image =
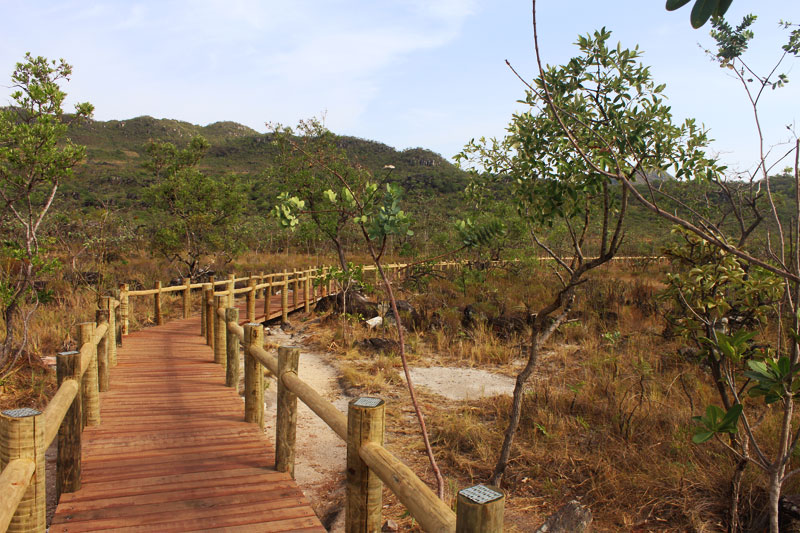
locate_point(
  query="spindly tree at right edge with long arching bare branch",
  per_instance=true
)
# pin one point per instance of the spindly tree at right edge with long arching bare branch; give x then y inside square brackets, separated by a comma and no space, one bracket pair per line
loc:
[772,375]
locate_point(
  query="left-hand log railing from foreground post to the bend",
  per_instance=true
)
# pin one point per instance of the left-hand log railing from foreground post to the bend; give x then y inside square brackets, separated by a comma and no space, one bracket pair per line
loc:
[25,434]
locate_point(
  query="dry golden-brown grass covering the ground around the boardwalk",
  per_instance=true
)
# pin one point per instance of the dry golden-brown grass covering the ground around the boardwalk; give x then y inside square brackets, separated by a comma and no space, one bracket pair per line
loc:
[606,419]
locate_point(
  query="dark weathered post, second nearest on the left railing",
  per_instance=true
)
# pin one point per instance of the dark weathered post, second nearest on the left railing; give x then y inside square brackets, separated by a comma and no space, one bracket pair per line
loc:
[68,469]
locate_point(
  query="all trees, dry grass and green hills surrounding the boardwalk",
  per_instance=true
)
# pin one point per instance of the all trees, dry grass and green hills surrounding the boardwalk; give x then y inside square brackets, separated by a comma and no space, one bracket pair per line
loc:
[688,370]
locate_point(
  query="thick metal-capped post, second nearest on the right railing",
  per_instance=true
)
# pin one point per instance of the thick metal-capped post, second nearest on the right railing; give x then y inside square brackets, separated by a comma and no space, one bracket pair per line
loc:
[365,423]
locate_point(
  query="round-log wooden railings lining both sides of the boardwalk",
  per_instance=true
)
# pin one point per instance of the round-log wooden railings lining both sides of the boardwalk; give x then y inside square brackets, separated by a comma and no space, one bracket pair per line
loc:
[25,434]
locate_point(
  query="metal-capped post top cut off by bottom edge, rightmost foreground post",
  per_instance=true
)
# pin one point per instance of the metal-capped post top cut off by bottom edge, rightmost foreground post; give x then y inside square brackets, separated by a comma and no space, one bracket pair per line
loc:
[480,509]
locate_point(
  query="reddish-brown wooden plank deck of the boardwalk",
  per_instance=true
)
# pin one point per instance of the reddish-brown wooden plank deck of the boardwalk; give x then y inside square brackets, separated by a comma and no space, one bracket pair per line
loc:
[172,452]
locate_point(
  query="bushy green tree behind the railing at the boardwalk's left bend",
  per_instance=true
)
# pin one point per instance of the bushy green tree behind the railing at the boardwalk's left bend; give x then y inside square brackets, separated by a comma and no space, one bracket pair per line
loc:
[197,215]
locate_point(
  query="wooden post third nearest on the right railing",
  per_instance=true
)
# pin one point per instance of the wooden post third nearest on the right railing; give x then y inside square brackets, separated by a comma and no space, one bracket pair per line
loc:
[286,423]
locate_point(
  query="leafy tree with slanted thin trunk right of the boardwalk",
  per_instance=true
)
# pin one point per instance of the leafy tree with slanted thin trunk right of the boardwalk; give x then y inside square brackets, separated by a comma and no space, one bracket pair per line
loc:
[620,128]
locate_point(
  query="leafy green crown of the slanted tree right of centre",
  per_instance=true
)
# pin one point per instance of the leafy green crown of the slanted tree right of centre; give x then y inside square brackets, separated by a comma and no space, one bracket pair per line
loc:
[614,111]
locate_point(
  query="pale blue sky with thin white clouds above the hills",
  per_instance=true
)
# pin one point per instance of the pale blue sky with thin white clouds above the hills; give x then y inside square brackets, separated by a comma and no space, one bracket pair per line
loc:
[407,73]
